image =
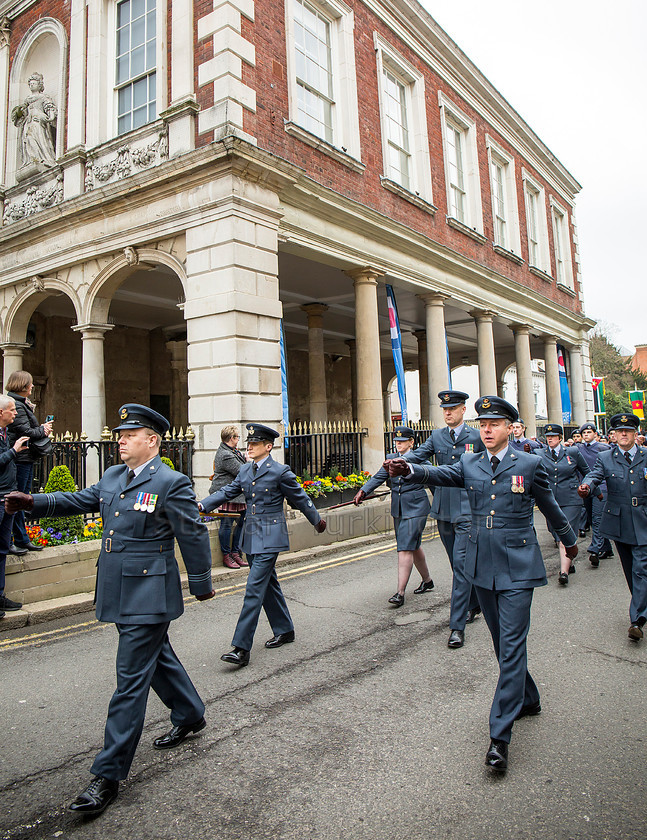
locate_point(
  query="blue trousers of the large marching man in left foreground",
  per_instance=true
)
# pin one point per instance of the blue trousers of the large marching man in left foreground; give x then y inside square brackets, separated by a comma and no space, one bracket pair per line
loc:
[145,659]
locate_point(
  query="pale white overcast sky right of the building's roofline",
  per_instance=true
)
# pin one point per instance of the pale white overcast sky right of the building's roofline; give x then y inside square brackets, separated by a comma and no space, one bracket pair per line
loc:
[576,71]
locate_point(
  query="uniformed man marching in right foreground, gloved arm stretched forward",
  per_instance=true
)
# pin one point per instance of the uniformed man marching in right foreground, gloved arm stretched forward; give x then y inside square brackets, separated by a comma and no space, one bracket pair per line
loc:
[503,559]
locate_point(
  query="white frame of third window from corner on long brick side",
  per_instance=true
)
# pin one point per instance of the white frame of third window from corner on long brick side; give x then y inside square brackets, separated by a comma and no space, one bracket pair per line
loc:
[452,114]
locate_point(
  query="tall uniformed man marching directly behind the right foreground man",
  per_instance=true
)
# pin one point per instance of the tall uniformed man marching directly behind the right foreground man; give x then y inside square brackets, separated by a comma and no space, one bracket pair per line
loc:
[450,507]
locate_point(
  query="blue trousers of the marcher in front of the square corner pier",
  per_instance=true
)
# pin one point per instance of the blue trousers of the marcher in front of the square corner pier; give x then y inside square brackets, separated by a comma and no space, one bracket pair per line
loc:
[263,591]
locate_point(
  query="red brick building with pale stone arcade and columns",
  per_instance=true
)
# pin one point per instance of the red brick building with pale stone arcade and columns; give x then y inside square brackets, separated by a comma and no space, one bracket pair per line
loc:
[181,177]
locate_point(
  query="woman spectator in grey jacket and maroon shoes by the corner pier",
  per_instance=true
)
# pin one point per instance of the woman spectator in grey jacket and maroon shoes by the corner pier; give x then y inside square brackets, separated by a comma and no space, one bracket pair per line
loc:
[226,465]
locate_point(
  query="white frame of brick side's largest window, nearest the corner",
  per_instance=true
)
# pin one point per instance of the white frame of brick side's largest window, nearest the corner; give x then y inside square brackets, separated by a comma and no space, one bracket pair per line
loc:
[345,113]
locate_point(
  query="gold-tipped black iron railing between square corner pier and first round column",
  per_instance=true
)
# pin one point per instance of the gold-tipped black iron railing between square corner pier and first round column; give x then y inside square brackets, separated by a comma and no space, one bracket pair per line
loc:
[323,448]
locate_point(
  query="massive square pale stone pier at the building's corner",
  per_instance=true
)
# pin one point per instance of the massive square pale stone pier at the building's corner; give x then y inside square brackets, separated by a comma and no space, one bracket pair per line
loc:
[233,316]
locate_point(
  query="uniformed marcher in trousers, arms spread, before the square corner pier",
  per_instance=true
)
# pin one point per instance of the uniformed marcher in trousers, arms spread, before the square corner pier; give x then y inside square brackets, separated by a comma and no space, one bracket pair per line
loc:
[266,484]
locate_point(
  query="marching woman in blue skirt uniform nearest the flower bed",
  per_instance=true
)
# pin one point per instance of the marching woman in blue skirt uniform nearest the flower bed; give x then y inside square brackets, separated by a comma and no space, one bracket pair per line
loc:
[409,509]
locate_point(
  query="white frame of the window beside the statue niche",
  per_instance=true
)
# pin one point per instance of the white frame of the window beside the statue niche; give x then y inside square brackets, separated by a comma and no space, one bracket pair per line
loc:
[160,68]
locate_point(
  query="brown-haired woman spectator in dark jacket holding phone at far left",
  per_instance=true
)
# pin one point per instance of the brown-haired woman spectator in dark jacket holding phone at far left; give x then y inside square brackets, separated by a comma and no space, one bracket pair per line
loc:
[19,387]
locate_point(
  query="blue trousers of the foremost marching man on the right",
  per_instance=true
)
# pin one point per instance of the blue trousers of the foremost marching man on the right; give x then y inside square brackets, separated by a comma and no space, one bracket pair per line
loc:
[507,614]
